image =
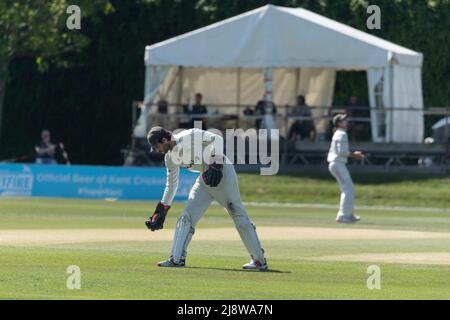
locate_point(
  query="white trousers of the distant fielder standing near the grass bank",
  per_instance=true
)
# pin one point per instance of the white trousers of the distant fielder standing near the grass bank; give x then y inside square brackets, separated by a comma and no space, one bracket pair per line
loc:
[340,173]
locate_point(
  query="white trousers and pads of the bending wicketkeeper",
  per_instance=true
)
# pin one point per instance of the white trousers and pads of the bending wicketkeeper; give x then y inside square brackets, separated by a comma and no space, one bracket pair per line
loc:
[226,194]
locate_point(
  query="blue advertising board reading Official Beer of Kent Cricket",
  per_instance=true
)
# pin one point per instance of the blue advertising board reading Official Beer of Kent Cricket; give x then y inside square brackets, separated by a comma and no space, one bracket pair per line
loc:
[90,182]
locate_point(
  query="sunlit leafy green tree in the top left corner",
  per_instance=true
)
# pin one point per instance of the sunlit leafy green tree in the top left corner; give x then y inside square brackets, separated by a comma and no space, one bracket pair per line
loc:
[38,28]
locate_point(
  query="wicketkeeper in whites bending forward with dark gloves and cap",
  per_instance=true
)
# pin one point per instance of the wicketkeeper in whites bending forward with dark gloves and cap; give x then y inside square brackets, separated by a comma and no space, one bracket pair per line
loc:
[217,181]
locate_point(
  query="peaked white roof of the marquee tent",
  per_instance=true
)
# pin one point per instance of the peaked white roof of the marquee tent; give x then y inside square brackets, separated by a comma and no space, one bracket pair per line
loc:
[279,36]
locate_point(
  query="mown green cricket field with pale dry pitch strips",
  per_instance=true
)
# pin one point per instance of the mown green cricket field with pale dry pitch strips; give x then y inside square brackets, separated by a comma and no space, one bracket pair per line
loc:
[310,256]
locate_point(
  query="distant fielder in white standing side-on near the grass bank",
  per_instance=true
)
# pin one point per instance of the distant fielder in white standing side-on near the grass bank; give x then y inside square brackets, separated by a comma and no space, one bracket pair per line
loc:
[337,159]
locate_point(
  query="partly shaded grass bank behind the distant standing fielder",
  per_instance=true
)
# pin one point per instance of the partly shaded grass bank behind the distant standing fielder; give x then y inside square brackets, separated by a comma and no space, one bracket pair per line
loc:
[395,189]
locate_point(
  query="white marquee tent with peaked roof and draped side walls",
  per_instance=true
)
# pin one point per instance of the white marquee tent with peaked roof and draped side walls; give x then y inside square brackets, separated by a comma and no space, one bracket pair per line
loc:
[226,62]
